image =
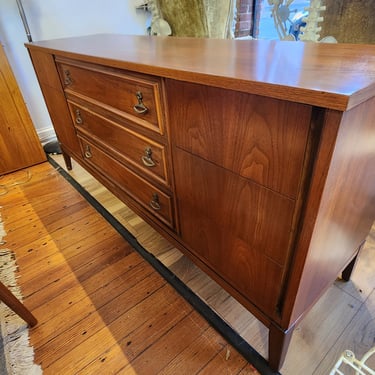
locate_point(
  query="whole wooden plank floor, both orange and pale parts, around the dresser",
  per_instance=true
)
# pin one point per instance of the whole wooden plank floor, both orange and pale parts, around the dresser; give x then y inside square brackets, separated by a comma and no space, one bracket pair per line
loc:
[74,268]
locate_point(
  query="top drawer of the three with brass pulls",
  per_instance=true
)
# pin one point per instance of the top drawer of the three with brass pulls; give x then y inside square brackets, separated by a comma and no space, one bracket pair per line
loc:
[136,97]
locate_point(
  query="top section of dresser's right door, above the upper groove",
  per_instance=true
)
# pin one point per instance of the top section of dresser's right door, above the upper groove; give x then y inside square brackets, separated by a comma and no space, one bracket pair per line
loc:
[260,138]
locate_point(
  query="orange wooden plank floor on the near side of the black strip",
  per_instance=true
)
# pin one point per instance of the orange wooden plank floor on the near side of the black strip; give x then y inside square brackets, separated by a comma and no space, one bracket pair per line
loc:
[101,307]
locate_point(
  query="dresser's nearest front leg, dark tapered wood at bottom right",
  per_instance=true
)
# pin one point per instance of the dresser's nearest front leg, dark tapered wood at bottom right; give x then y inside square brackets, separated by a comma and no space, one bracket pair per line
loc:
[278,343]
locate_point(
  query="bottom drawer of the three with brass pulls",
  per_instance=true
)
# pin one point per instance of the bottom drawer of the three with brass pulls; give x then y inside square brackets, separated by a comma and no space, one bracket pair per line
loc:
[147,195]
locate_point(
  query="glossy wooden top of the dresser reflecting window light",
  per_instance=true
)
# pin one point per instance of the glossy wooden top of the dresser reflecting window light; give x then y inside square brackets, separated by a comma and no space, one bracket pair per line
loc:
[336,76]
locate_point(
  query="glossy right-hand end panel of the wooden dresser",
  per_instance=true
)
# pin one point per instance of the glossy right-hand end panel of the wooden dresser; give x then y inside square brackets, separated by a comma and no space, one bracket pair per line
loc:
[346,204]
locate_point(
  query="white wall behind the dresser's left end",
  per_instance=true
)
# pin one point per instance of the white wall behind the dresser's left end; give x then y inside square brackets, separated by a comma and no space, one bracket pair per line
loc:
[49,19]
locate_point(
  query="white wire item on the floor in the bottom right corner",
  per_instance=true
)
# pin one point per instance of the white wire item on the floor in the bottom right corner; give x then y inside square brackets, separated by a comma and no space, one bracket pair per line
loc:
[350,362]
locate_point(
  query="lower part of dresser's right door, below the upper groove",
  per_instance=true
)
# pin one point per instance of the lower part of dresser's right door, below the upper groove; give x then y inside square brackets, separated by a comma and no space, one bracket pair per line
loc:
[238,228]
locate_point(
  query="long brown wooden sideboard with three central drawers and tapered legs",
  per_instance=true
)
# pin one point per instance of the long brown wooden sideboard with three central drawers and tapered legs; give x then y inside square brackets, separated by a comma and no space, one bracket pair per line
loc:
[255,158]
